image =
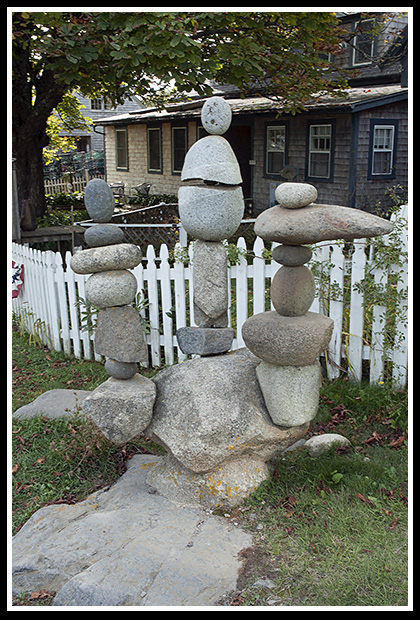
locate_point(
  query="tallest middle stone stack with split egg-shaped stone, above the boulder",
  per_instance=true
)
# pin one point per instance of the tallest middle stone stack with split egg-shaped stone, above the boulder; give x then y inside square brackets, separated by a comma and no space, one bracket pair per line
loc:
[211,208]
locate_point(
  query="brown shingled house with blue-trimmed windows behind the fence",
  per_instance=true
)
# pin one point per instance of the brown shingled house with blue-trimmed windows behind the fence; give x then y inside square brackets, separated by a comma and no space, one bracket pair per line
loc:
[351,149]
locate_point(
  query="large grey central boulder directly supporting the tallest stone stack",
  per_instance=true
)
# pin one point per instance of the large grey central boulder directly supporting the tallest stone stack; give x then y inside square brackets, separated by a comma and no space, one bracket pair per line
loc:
[210,410]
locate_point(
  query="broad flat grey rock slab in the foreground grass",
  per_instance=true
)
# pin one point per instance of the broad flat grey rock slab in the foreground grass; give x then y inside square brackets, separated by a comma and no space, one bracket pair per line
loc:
[124,546]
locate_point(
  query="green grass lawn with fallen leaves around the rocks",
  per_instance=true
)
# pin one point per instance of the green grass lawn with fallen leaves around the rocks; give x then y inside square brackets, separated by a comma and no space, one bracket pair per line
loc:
[328,531]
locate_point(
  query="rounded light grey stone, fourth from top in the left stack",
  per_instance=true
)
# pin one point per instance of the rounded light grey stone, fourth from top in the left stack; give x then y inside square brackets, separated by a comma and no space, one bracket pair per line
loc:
[111,288]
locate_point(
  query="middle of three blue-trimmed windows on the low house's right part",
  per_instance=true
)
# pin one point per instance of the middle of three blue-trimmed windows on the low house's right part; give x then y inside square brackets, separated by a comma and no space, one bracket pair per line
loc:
[319,151]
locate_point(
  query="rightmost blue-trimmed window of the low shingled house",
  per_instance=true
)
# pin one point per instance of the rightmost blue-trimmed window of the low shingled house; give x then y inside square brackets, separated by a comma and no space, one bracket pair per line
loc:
[382,148]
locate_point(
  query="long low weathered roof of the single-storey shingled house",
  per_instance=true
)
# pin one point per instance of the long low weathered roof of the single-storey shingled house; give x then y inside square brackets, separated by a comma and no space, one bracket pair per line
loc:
[355,100]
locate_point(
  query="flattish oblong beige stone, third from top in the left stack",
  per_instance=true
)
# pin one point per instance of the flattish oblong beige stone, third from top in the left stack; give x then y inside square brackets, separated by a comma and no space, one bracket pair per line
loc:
[118,256]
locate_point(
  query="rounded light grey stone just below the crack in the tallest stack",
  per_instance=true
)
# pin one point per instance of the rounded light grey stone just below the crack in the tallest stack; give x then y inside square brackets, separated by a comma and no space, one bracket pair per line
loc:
[211,213]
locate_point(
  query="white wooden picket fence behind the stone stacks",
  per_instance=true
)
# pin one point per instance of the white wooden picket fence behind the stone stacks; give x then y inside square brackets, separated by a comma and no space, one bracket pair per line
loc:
[48,303]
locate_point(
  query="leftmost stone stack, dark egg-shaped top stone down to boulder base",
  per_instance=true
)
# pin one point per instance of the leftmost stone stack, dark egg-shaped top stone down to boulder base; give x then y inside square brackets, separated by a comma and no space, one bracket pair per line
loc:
[122,406]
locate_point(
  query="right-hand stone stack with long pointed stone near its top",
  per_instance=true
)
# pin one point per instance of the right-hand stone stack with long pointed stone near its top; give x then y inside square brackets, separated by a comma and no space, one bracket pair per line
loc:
[290,339]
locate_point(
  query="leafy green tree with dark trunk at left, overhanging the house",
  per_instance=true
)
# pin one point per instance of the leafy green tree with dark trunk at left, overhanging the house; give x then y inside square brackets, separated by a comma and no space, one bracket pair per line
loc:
[115,55]
